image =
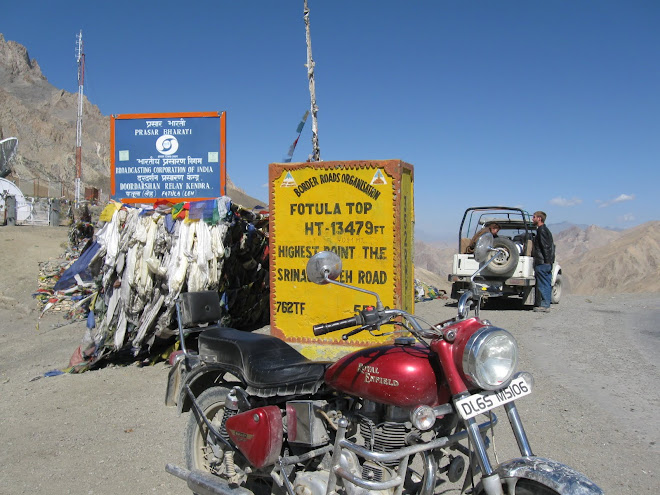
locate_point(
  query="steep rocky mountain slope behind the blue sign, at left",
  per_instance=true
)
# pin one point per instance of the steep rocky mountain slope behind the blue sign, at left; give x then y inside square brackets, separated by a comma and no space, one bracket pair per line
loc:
[43,118]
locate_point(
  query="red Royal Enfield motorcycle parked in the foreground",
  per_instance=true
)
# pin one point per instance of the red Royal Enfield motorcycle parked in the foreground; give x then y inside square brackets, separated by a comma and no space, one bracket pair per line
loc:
[406,417]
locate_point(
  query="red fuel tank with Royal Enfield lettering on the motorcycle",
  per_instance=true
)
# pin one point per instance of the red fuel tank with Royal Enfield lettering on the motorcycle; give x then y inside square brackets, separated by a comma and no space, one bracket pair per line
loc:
[398,375]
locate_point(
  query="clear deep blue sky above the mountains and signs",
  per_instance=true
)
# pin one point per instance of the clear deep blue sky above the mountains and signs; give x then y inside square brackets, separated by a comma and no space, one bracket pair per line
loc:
[551,105]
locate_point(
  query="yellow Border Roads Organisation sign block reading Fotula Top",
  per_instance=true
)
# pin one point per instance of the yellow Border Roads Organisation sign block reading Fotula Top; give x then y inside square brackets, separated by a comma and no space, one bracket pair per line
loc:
[361,210]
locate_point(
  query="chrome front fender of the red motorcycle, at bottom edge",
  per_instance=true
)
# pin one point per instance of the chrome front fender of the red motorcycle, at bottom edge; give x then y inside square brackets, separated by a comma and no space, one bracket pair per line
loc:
[559,477]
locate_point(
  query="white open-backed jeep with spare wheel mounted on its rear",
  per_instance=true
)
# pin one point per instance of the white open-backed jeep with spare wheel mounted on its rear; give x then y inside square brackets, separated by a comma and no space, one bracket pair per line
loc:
[512,272]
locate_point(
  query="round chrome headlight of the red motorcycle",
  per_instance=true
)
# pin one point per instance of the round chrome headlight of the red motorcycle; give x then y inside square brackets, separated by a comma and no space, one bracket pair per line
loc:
[490,358]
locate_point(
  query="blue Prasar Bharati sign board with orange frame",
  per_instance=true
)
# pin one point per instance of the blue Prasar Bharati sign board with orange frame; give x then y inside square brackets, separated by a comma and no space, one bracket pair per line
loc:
[167,156]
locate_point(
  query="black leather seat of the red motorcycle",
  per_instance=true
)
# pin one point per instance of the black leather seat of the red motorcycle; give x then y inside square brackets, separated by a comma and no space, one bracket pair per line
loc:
[263,361]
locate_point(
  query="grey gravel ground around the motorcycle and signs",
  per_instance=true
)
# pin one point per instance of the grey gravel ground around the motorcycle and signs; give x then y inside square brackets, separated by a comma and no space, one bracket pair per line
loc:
[595,361]
